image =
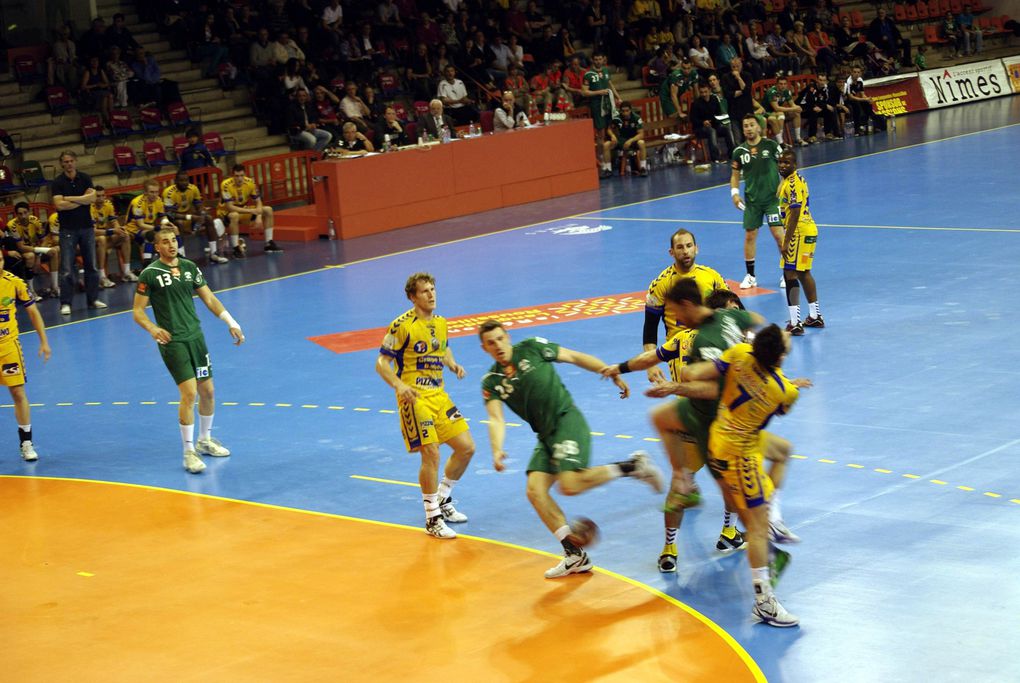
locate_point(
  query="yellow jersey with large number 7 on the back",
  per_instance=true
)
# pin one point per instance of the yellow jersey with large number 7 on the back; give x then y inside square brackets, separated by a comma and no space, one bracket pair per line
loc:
[751,396]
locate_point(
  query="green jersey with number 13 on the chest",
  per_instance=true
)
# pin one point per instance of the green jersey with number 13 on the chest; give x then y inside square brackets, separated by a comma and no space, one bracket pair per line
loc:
[171,291]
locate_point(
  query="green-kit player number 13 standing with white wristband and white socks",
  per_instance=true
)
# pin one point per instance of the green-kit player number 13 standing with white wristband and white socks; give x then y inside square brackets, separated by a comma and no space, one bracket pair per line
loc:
[171,283]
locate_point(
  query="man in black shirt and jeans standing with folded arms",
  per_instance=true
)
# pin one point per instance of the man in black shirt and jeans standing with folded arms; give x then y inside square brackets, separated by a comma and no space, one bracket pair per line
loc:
[73,197]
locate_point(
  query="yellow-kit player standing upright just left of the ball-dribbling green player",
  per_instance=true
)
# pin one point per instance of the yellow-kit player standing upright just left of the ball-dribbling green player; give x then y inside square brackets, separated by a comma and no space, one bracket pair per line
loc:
[412,359]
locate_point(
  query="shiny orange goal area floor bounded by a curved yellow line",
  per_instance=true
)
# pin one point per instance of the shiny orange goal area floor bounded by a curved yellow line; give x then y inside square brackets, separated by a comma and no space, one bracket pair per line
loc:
[119,583]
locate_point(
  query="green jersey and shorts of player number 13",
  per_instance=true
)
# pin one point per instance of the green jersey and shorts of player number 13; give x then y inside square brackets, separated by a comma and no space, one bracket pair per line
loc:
[171,291]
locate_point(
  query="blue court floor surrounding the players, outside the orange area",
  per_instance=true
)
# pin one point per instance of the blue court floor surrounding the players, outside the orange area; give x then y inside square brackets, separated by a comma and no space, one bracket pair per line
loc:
[905,488]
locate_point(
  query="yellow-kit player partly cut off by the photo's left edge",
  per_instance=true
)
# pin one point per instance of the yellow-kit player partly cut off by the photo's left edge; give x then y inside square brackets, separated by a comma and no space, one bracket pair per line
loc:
[15,294]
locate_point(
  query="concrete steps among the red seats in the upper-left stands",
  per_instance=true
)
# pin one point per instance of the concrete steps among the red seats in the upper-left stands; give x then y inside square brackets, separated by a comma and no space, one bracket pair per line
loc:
[43,137]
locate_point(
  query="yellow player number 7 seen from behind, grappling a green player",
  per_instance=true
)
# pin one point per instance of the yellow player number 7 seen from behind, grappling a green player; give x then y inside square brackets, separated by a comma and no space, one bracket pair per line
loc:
[754,390]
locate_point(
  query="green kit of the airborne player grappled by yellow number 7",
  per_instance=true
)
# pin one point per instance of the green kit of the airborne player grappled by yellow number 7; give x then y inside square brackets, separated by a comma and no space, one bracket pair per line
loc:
[718,333]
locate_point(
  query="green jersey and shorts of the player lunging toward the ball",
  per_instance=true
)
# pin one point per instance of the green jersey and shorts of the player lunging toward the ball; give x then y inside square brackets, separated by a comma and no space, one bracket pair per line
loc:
[533,390]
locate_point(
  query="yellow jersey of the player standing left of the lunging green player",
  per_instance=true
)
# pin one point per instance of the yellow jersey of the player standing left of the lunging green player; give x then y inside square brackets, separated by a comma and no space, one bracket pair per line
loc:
[418,348]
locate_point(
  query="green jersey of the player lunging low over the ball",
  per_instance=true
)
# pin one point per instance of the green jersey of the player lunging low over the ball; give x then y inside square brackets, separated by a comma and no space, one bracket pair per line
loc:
[530,386]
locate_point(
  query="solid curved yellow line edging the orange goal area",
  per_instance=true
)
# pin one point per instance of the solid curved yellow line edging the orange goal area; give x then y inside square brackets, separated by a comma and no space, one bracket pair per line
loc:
[719,631]
